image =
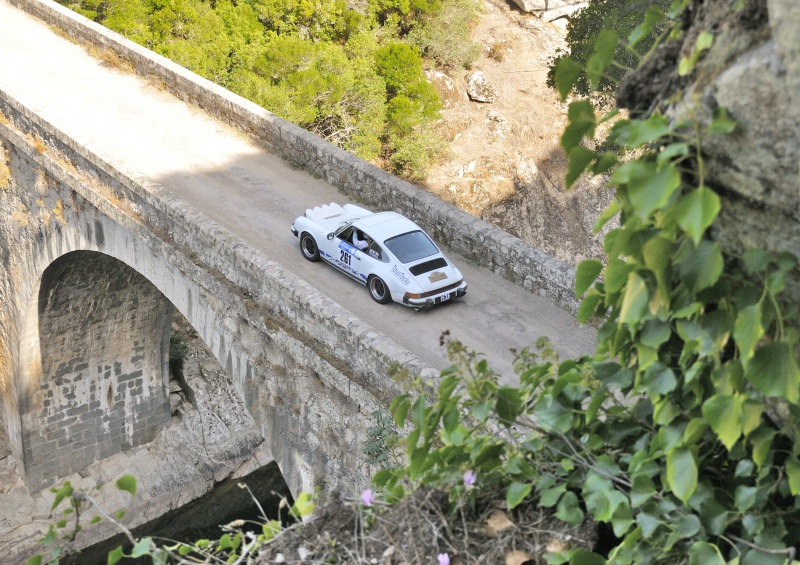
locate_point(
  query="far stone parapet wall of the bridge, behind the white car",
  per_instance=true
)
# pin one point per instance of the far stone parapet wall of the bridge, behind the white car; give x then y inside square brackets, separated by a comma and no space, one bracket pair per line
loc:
[476,239]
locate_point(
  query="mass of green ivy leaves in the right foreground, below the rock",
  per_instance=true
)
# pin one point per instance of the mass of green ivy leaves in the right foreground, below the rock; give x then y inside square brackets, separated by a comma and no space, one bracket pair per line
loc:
[681,432]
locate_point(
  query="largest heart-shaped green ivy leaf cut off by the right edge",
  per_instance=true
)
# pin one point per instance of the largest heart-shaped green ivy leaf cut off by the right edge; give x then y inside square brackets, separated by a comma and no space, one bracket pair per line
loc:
[773,370]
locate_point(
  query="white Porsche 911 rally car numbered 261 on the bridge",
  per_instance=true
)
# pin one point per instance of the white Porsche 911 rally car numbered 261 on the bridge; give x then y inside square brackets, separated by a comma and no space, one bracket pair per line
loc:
[385,251]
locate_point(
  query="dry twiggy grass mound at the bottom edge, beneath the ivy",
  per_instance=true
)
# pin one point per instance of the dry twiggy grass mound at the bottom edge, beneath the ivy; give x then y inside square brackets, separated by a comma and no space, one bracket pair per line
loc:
[418,529]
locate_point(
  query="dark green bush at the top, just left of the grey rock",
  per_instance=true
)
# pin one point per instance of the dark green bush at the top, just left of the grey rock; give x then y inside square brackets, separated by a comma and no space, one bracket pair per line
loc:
[598,25]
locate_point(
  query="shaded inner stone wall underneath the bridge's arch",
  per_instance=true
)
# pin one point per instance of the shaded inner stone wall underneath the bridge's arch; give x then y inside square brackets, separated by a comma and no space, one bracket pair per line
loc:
[94,364]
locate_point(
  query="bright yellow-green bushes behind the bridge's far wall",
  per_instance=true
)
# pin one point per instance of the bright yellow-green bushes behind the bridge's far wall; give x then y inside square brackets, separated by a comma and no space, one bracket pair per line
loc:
[318,65]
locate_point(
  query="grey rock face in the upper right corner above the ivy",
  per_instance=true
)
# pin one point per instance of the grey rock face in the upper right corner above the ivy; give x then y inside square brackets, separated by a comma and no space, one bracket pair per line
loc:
[752,70]
